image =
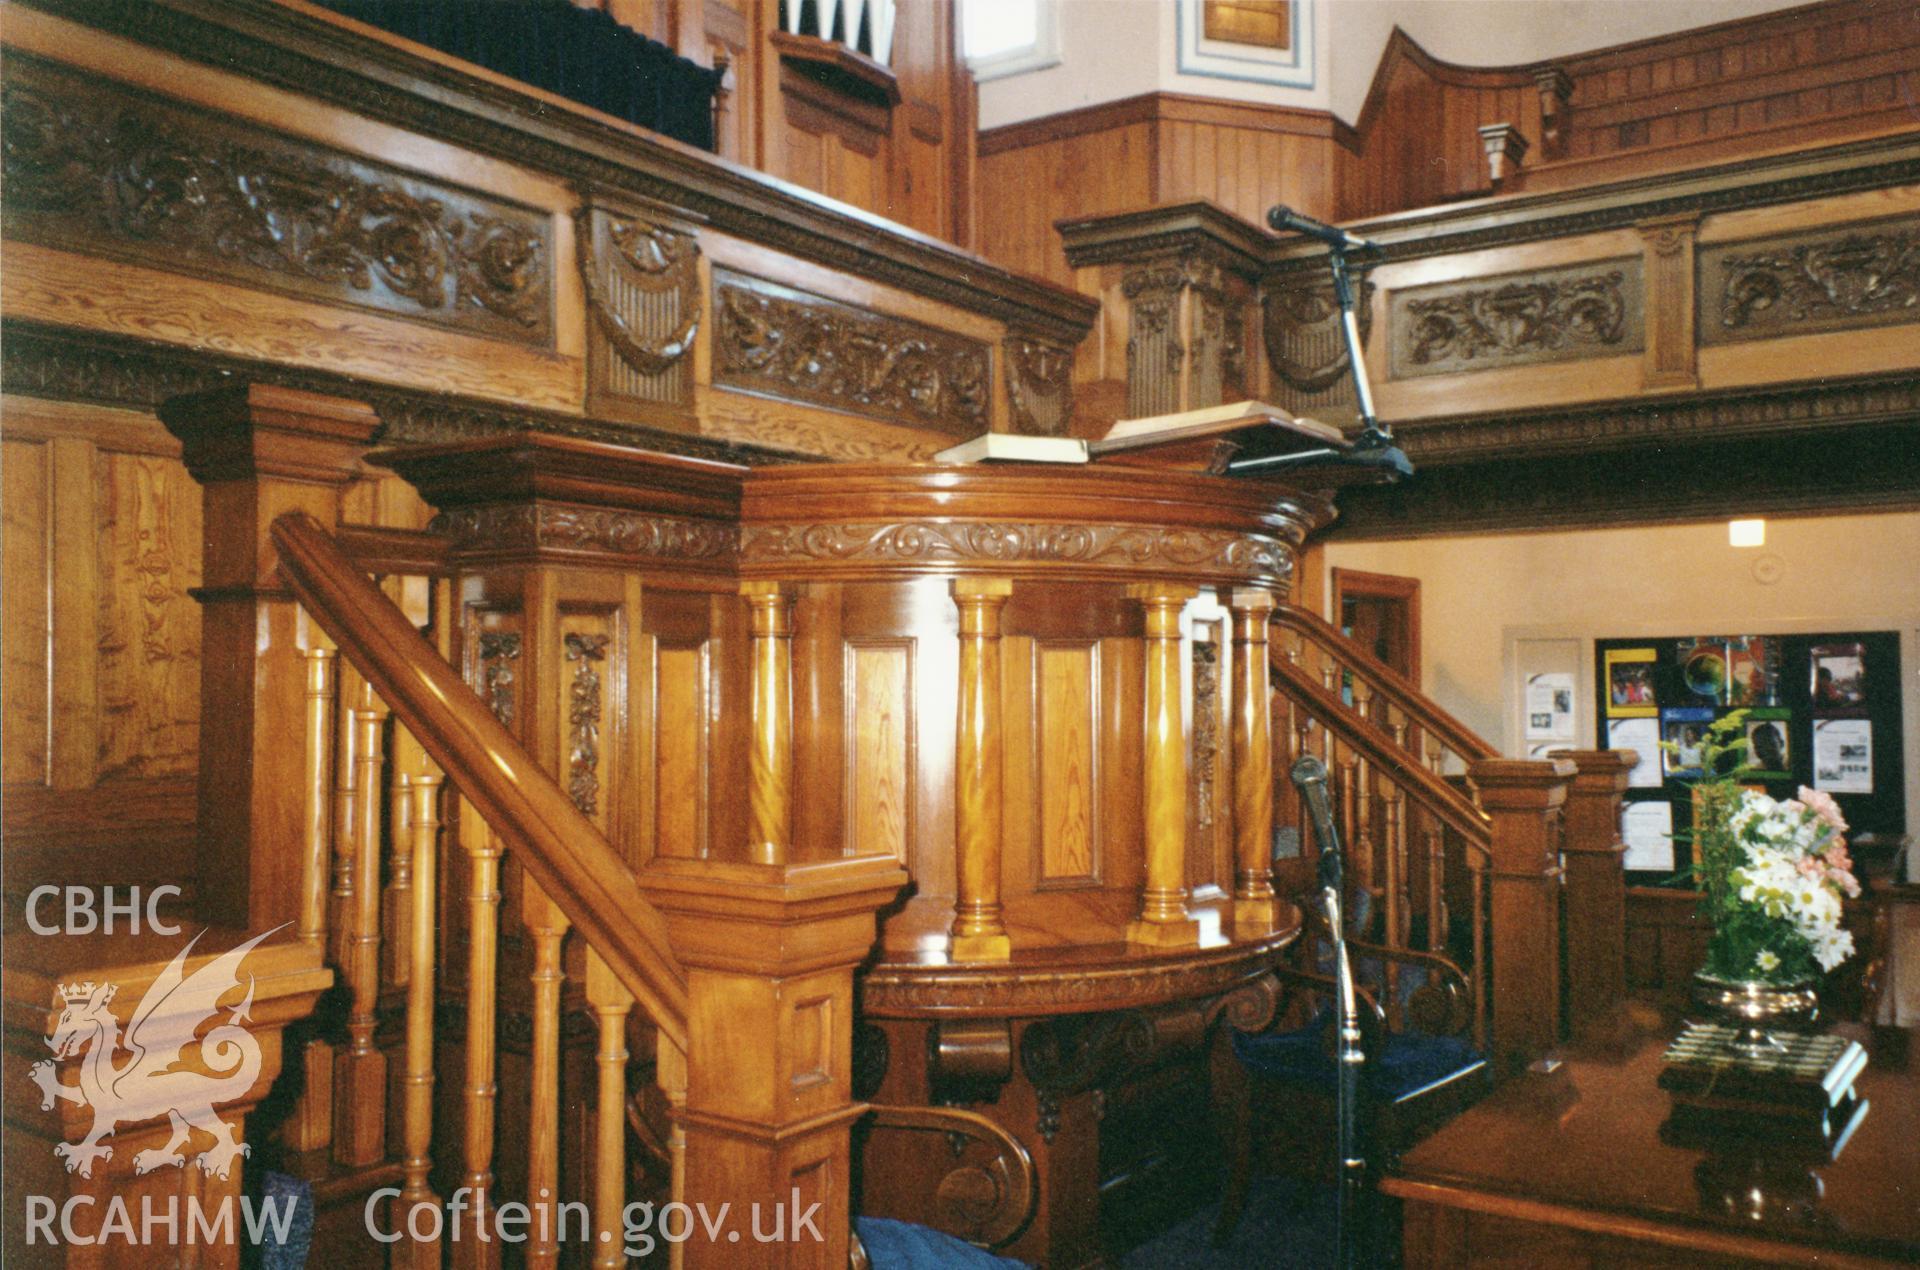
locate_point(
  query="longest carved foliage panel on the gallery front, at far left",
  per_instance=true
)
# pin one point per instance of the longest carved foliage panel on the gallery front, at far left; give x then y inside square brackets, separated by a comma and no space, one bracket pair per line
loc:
[103,168]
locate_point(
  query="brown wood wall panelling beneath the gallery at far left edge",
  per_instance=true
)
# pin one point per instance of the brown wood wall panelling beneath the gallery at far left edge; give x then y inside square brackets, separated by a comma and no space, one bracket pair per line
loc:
[103,645]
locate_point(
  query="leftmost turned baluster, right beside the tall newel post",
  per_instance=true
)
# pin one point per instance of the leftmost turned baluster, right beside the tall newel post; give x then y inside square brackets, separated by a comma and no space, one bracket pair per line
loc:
[310,1125]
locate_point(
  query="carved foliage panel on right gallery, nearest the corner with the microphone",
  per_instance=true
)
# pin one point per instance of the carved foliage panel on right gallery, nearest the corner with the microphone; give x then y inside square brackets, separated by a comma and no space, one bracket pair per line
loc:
[1591,310]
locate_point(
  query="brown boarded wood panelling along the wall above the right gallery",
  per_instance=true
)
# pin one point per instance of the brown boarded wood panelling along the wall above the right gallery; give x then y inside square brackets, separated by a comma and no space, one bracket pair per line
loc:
[1819,74]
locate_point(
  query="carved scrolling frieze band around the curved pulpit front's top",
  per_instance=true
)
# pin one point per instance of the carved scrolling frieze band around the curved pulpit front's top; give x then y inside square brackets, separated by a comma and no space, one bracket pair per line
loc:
[936,543]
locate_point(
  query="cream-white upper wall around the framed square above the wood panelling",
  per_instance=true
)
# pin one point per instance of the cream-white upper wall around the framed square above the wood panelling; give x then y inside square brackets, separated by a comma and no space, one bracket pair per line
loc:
[1118,49]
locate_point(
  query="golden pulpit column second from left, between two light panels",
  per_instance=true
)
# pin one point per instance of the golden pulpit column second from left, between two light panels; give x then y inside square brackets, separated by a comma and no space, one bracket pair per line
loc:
[978,933]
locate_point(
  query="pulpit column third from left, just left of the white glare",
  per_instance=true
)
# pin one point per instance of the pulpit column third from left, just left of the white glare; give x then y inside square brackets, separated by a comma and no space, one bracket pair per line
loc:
[1164,919]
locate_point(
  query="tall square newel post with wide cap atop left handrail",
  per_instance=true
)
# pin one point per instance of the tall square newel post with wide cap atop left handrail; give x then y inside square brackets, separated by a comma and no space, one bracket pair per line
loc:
[256,452]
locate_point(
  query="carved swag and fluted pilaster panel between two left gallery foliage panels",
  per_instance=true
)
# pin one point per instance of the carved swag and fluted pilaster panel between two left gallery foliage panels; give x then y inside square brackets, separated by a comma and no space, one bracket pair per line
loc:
[644,297]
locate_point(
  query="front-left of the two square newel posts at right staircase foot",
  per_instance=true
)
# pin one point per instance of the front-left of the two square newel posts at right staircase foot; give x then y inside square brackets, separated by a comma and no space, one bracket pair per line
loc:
[1524,798]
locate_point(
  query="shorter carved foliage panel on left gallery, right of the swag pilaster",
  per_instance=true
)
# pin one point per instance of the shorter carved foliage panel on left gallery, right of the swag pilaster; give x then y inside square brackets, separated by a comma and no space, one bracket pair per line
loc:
[798,347]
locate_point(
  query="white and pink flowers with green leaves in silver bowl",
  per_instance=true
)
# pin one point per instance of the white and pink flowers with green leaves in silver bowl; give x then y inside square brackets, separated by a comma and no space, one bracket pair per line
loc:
[1773,873]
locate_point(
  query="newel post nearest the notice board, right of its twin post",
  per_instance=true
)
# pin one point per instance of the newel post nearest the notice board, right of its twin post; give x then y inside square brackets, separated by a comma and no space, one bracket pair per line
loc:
[1596,883]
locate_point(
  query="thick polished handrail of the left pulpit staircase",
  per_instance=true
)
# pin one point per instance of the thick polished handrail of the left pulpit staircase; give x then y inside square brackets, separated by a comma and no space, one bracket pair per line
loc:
[562,848]
